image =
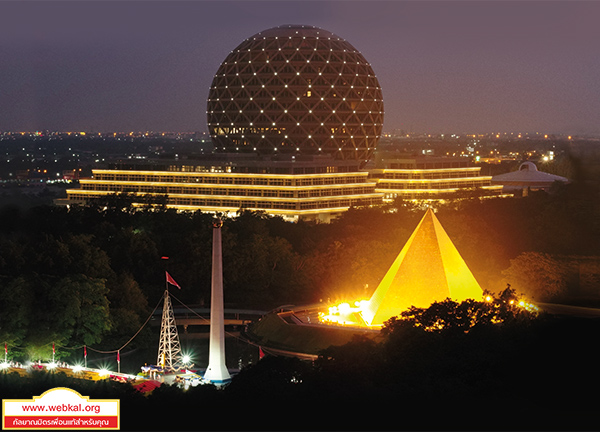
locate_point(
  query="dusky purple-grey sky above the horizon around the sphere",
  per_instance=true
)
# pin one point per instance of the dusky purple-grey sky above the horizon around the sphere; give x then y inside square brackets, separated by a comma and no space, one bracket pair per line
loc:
[459,67]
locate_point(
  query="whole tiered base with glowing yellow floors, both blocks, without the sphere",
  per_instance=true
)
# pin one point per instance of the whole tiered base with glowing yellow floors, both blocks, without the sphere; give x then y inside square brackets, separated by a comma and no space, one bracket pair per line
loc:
[303,187]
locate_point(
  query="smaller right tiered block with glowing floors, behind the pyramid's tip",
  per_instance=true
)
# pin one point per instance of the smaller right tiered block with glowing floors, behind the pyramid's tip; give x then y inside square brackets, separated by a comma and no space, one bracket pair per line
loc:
[430,178]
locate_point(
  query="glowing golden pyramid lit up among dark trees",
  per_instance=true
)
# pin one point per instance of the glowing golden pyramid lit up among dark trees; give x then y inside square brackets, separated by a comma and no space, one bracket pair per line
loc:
[428,269]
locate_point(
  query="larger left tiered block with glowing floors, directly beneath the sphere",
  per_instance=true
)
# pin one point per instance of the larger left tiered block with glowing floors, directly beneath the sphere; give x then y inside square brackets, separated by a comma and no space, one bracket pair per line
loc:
[293,189]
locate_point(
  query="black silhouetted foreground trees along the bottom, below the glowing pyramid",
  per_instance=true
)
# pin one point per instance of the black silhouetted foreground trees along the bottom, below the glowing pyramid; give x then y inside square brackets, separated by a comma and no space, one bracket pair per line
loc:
[523,373]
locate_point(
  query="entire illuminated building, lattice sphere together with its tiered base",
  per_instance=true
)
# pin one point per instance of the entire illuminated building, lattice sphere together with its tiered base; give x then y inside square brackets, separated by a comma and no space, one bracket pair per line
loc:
[295,114]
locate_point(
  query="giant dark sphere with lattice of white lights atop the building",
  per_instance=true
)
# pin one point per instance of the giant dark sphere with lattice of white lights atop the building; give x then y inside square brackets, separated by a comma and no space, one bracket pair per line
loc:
[299,90]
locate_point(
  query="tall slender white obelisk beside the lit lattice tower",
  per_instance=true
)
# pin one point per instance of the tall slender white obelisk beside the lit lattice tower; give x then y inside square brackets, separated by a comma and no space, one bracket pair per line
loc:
[217,372]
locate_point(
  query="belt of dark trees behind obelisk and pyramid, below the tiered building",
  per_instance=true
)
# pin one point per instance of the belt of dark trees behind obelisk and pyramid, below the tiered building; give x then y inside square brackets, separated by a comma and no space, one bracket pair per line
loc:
[91,275]
